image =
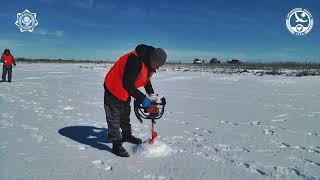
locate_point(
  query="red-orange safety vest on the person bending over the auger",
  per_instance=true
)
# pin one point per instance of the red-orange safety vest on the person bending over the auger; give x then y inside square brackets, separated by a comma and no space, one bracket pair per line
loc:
[114,78]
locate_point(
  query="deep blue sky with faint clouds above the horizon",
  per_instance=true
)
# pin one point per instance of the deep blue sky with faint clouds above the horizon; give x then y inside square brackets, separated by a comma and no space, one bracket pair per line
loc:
[102,29]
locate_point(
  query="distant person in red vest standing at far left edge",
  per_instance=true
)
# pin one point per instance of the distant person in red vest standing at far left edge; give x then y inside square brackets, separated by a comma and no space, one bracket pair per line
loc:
[7,60]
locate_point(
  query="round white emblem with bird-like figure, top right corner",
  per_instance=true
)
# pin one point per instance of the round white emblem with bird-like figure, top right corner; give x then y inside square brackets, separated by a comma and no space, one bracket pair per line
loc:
[299,21]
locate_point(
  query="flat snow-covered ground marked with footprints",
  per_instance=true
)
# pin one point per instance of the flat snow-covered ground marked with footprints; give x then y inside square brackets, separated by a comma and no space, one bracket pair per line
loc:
[216,126]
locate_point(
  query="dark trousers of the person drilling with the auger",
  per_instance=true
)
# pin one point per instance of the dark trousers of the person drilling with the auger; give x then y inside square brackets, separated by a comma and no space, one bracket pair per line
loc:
[117,115]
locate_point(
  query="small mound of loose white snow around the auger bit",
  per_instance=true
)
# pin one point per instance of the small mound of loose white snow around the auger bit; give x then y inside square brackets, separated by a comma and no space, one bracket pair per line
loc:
[156,150]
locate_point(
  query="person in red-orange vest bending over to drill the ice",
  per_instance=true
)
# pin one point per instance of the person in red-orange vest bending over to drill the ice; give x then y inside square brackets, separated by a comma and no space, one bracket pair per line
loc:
[132,71]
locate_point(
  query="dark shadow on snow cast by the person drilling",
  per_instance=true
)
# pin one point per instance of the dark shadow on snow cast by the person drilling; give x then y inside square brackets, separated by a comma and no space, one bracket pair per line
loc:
[92,136]
